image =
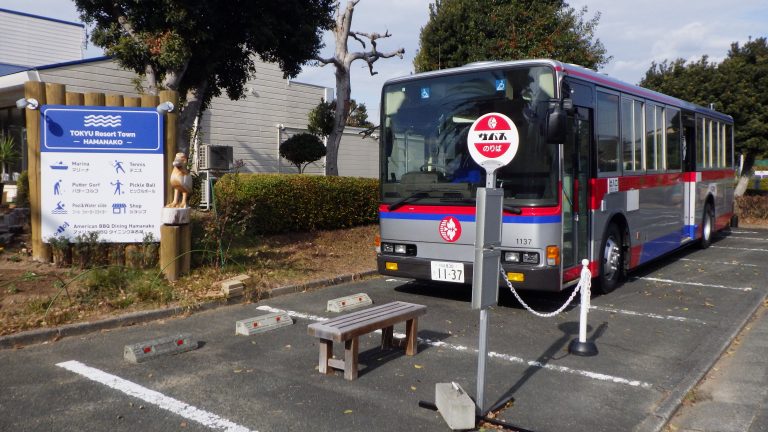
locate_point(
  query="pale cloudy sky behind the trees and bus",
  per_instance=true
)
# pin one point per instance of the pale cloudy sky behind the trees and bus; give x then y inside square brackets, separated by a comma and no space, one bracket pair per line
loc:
[635,33]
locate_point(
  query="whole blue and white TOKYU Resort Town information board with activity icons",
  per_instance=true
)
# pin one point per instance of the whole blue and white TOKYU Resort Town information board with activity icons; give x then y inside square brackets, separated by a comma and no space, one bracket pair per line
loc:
[101,171]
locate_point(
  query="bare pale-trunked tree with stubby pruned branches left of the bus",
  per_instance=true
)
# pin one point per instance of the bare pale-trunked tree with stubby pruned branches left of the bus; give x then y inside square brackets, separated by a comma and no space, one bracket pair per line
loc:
[342,61]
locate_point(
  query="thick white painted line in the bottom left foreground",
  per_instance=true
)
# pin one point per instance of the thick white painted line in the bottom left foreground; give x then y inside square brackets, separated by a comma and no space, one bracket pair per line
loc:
[160,400]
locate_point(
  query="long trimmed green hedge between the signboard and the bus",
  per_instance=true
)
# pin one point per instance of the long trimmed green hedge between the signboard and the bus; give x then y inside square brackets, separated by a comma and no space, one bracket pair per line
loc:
[275,203]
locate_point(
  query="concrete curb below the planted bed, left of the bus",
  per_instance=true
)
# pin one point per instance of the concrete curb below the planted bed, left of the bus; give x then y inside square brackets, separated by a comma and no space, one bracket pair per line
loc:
[31,337]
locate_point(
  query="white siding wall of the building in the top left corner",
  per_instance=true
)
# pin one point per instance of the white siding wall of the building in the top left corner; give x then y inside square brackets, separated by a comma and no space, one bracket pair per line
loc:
[32,41]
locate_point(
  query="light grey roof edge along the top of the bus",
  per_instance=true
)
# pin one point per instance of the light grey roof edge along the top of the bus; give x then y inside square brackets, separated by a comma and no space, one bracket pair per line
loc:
[575,71]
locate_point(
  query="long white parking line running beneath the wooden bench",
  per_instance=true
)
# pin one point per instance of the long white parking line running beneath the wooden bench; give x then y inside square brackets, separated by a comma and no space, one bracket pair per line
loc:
[506,357]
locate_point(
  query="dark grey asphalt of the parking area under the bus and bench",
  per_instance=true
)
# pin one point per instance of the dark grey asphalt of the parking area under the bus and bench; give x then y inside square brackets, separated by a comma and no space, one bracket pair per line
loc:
[657,336]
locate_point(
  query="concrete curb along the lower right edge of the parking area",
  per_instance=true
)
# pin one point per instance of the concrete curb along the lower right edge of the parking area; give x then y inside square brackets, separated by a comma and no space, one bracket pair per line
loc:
[667,407]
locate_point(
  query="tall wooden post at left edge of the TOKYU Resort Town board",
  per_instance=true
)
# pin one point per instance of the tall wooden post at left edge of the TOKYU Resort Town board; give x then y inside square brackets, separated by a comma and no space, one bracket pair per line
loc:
[35,90]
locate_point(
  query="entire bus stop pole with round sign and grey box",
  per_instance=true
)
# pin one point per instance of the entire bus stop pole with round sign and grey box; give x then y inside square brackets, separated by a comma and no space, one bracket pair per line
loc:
[492,143]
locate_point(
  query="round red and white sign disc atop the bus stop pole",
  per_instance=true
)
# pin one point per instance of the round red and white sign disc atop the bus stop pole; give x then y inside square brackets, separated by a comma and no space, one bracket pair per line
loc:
[493,141]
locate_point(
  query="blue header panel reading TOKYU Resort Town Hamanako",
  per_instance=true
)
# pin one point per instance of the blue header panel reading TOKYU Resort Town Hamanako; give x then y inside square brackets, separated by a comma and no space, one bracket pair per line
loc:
[101,129]
